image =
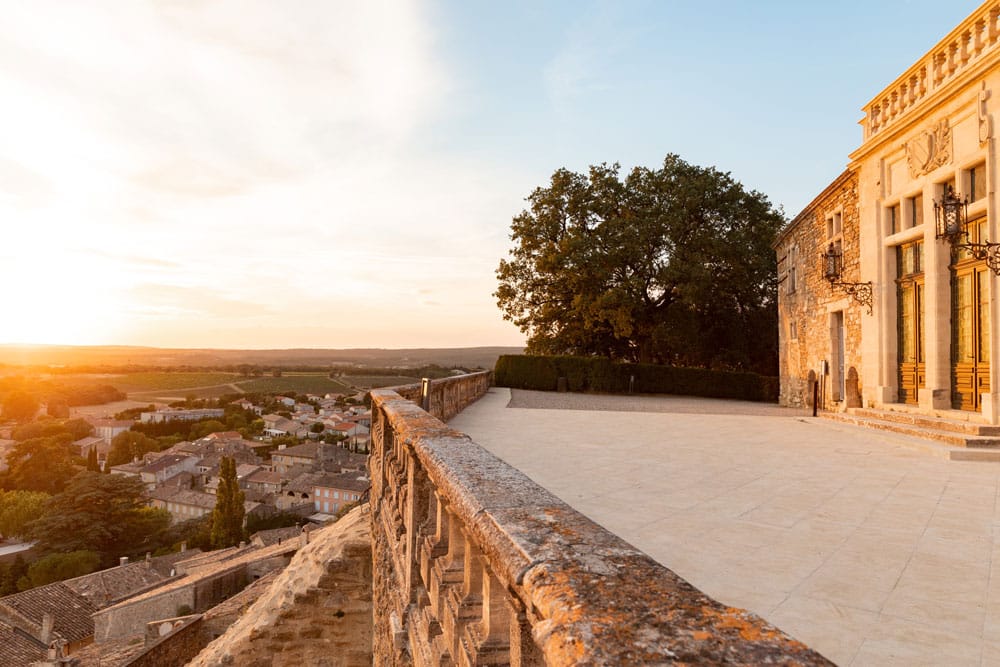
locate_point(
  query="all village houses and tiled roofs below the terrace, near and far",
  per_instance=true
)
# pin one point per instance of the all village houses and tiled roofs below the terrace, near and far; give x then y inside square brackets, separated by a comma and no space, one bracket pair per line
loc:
[309,461]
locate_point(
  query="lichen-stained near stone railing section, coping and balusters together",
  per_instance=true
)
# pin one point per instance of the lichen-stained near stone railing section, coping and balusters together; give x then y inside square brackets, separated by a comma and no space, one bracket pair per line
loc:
[476,564]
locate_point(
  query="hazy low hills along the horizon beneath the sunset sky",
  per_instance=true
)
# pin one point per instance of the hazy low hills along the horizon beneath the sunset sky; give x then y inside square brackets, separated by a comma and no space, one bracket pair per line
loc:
[119,356]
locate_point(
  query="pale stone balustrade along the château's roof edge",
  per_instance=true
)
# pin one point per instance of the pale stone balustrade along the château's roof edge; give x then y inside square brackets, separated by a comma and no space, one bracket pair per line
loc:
[962,49]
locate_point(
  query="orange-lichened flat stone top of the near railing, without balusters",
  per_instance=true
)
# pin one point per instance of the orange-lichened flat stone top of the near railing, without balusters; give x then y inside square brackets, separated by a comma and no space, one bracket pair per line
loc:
[591,597]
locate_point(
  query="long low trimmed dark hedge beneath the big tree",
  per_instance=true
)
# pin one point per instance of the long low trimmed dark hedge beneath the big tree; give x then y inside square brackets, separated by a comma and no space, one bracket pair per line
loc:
[603,375]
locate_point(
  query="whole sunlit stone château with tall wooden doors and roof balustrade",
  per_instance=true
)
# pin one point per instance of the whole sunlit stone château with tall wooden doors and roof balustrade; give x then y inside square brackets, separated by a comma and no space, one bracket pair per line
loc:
[887,298]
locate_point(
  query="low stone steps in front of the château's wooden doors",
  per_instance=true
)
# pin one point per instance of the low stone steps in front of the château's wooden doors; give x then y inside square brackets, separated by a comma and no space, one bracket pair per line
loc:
[951,434]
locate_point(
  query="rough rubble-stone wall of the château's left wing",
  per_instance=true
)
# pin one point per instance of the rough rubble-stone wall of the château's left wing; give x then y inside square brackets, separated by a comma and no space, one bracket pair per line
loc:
[805,336]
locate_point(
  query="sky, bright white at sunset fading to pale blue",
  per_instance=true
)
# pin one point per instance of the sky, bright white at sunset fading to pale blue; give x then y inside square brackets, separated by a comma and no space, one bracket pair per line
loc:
[331,174]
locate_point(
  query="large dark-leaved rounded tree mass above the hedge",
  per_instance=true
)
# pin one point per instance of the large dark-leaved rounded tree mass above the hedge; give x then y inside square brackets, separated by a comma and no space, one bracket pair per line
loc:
[669,265]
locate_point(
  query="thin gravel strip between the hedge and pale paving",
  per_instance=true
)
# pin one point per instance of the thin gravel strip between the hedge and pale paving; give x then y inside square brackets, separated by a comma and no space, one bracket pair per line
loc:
[549,400]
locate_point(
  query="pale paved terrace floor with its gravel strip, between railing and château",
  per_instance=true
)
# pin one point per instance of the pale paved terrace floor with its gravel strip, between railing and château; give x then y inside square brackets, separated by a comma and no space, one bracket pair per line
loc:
[850,540]
